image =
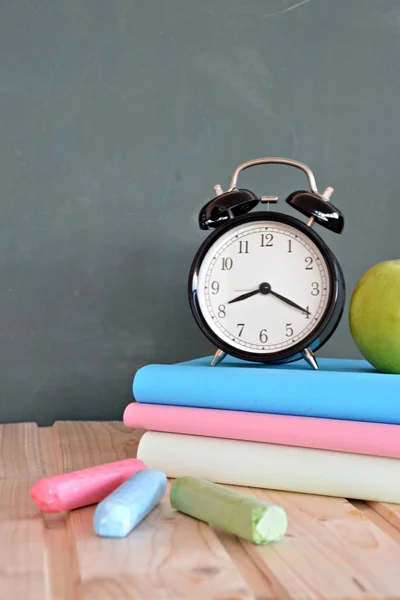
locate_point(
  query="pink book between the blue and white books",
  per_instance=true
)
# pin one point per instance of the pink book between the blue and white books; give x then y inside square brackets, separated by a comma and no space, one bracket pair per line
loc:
[357,437]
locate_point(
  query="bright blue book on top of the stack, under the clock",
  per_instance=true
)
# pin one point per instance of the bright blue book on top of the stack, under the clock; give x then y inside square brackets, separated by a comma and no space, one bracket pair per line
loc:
[341,388]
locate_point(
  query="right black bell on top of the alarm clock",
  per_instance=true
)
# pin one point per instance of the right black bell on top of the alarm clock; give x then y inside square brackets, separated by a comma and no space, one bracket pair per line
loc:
[318,208]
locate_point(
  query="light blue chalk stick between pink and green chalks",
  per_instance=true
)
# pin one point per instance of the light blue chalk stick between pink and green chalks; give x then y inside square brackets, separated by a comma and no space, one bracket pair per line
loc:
[119,513]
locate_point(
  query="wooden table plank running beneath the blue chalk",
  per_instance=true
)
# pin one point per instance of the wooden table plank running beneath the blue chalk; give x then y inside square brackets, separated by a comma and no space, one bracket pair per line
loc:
[168,556]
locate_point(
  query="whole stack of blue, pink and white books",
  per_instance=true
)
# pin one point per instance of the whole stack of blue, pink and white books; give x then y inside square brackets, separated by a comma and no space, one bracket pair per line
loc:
[333,432]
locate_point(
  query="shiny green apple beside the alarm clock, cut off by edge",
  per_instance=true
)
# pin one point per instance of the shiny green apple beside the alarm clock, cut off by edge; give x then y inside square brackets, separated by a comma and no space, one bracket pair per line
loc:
[374,316]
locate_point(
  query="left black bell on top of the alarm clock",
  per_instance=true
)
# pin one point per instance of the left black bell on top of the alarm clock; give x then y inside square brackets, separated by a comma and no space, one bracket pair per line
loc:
[226,205]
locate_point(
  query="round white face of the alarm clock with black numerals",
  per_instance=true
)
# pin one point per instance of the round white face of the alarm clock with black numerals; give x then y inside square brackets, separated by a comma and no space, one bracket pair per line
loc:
[282,272]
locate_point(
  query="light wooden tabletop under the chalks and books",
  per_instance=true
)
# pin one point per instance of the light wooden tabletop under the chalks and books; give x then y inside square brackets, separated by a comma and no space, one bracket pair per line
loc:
[333,548]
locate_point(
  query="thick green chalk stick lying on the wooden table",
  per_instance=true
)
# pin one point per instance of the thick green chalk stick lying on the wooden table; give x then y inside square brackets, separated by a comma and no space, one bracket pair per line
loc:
[234,512]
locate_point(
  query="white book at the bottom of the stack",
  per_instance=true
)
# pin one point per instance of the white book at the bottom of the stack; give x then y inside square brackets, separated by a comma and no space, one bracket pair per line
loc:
[272,466]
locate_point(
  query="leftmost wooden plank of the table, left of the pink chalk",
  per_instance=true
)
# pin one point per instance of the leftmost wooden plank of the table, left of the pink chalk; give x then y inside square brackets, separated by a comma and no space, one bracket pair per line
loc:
[22,563]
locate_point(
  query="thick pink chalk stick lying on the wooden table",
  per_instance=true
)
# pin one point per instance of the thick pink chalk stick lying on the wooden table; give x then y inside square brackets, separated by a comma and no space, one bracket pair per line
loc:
[81,488]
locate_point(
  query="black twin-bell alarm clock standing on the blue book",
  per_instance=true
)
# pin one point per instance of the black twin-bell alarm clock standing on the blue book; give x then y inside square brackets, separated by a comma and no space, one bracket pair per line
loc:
[264,286]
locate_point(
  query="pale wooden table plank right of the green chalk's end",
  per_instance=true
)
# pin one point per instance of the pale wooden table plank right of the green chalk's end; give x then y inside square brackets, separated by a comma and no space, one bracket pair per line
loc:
[331,550]
